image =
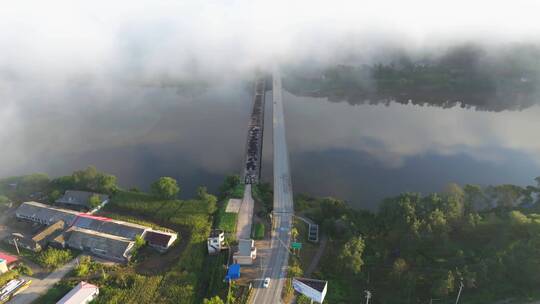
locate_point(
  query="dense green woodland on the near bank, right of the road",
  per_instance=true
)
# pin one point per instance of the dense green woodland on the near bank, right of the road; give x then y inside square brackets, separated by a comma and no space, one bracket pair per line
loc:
[422,247]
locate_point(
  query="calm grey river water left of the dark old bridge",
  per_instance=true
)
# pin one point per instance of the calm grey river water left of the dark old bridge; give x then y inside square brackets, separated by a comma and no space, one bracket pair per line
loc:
[137,133]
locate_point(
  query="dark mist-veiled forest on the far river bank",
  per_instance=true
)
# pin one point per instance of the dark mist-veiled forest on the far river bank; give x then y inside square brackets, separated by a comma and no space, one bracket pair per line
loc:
[492,80]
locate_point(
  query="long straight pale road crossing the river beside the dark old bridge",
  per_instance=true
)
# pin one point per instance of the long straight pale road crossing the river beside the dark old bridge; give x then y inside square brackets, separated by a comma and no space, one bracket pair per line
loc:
[275,267]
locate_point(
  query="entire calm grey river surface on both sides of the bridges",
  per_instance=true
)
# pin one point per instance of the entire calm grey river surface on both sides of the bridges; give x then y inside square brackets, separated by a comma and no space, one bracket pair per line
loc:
[359,153]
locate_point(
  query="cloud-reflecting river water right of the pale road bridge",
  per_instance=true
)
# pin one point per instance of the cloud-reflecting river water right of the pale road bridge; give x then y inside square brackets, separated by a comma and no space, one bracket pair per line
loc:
[363,153]
